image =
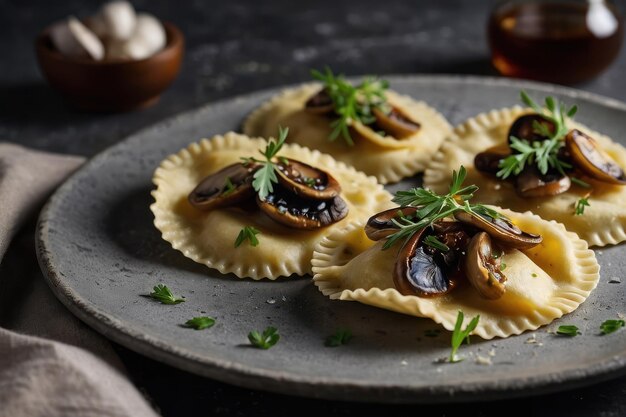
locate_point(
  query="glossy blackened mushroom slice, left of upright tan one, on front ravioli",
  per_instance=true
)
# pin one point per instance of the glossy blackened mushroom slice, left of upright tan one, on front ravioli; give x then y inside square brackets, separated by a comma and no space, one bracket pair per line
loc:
[421,271]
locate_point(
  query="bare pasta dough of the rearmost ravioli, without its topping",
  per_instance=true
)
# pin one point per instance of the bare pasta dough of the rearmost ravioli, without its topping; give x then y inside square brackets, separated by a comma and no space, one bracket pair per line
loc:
[386,158]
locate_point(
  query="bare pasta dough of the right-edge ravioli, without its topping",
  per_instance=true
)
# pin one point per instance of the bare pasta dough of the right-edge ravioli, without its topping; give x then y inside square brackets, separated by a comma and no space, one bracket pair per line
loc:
[602,223]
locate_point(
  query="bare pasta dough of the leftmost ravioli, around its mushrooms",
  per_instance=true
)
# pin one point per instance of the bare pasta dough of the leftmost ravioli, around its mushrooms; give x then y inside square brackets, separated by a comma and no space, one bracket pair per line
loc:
[208,237]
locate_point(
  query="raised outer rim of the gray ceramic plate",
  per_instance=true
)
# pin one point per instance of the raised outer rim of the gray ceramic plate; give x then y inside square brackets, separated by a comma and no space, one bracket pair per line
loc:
[319,387]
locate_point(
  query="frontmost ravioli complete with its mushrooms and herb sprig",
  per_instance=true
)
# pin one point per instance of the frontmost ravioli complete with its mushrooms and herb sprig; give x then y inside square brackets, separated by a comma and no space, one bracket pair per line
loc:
[516,270]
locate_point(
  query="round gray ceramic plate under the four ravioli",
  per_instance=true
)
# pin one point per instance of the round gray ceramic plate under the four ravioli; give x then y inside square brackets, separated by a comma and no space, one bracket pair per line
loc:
[101,254]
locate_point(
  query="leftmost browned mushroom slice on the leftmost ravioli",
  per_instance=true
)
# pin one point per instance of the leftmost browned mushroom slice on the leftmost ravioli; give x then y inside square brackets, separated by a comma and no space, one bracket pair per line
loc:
[228,186]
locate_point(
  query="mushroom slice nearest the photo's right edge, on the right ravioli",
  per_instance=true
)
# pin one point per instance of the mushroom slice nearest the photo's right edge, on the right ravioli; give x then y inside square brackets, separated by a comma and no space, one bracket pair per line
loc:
[590,159]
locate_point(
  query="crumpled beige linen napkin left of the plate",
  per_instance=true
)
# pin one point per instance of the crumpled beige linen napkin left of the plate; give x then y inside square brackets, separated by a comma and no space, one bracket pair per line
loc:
[40,377]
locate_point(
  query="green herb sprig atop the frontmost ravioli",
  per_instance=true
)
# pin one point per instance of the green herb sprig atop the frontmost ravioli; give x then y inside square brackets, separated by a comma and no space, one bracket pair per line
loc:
[433,207]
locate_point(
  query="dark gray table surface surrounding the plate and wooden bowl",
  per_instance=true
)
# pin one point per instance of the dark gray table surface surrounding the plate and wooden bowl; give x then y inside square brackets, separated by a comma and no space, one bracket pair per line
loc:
[238,47]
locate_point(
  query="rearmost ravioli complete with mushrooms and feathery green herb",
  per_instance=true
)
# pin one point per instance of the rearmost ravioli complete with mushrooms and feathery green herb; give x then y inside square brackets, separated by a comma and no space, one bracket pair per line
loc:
[384,134]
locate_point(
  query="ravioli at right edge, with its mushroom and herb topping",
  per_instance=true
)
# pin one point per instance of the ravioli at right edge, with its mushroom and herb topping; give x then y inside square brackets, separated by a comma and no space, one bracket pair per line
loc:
[588,196]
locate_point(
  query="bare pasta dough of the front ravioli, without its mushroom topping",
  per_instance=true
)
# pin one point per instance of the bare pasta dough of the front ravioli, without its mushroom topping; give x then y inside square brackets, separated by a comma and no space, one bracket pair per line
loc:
[544,282]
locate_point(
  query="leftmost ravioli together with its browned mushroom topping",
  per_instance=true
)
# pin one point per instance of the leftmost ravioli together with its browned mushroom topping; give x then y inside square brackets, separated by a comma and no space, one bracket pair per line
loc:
[208,234]
